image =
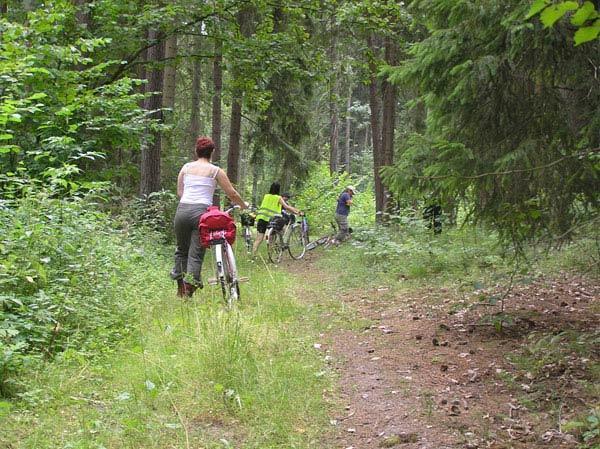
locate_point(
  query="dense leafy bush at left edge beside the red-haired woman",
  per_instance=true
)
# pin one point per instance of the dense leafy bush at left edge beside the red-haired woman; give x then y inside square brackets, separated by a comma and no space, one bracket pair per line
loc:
[68,281]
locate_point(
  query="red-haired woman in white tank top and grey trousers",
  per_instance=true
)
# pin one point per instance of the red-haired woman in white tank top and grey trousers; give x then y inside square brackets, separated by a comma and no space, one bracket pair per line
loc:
[196,186]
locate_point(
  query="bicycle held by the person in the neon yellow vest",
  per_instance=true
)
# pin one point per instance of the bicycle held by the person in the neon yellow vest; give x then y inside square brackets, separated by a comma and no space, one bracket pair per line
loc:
[287,235]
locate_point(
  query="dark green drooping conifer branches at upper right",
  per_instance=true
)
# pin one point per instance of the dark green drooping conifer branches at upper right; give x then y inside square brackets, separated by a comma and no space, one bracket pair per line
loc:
[493,141]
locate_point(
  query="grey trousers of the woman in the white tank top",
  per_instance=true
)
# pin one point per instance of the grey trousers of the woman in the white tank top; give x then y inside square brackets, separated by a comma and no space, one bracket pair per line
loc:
[188,254]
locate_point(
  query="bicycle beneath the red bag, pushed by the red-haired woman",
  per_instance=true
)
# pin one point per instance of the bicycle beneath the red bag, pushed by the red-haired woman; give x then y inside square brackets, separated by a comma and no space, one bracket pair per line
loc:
[225,266]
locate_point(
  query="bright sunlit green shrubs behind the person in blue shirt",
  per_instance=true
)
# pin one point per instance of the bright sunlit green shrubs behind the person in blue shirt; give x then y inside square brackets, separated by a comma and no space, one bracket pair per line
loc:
[319,197]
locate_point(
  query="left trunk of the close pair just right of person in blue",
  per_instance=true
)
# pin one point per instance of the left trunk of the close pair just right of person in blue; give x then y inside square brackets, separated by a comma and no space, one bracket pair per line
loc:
[375,103]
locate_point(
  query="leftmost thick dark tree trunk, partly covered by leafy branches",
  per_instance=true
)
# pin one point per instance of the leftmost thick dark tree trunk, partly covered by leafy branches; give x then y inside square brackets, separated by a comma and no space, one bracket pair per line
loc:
[150,165]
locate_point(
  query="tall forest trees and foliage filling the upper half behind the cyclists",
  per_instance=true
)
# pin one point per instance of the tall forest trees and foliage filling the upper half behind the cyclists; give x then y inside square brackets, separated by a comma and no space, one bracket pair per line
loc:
[468,106]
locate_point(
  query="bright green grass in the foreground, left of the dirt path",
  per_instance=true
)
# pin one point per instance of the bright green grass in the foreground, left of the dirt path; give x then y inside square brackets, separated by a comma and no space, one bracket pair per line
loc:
[192,375]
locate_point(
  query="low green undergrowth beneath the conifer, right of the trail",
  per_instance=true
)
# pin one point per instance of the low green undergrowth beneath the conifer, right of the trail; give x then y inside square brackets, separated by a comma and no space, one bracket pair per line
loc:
[465,259]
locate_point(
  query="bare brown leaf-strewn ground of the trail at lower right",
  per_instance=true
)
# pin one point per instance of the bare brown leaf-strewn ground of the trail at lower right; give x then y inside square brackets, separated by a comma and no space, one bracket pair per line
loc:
[422,373]
